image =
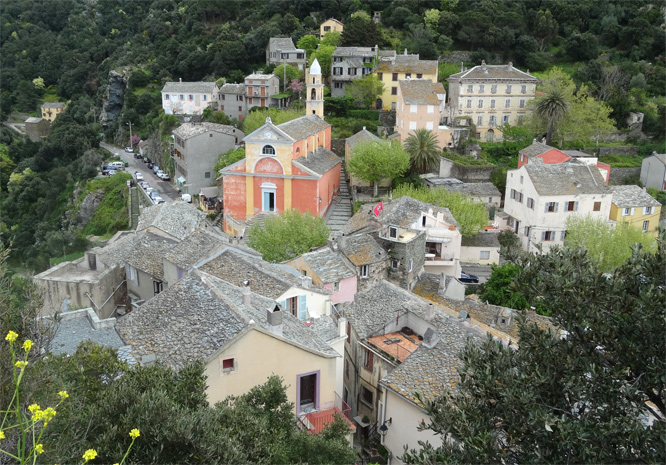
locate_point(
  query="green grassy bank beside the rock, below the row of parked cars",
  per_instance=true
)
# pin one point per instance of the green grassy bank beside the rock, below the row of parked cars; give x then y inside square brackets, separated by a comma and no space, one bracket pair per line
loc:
[111,214]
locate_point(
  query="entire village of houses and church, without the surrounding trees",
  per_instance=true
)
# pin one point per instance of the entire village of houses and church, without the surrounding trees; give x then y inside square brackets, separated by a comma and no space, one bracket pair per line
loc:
[371,324]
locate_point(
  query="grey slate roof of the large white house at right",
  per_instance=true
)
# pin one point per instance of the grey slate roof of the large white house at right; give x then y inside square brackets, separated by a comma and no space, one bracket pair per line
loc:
[574,178]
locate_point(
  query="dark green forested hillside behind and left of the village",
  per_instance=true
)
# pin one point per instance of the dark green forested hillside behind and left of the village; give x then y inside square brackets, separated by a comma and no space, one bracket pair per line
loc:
[68,50]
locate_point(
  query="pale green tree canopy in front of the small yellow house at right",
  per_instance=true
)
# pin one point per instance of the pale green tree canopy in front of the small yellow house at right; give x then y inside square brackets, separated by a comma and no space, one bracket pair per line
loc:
[609,246]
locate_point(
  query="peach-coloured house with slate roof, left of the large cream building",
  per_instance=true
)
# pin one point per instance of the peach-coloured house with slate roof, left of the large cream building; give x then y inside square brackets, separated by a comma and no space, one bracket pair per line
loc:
[420,105]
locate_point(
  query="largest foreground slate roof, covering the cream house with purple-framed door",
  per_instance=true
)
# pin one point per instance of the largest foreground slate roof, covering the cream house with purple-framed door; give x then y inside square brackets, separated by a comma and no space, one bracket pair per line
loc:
[199,315]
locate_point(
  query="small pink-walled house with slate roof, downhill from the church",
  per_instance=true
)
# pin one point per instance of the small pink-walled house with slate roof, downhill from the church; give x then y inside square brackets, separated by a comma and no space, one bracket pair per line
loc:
[330,271]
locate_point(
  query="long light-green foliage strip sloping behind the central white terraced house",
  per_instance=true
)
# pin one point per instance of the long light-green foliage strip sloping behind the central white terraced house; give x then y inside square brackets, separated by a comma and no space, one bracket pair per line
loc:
[470,214]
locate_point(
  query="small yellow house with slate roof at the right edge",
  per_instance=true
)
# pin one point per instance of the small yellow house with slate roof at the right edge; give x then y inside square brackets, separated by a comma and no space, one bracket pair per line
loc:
[632,204]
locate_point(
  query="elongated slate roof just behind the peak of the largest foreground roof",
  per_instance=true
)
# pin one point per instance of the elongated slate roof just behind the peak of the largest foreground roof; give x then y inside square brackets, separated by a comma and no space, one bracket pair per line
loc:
[235,267]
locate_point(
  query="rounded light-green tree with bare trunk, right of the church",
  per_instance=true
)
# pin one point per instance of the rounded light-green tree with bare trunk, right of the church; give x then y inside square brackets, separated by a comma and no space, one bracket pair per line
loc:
[373,161]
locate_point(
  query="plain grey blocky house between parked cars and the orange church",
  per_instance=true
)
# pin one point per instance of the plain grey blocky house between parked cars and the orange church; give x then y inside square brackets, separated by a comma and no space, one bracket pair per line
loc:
[197,147]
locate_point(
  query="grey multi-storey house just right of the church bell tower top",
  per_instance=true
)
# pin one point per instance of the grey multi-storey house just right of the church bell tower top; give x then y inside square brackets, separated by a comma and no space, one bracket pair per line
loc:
[350,63]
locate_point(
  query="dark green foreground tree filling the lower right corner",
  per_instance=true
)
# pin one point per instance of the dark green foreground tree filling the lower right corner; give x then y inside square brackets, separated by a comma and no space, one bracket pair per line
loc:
[574,397]
